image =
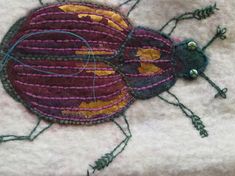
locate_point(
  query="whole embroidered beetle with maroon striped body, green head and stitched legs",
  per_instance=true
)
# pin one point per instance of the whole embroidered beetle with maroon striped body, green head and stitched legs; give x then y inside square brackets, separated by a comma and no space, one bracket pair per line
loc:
[82,63]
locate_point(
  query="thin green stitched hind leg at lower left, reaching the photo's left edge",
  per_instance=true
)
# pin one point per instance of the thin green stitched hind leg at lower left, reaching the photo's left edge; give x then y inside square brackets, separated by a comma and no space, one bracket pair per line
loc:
[30,137]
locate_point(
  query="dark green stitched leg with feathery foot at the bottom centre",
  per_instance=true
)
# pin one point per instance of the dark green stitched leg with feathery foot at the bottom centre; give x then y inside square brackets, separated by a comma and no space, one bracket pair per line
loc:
[106,159]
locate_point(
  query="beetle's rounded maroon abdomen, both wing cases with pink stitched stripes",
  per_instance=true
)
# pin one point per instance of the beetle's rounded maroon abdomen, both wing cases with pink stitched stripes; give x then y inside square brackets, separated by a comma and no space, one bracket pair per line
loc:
[55,78]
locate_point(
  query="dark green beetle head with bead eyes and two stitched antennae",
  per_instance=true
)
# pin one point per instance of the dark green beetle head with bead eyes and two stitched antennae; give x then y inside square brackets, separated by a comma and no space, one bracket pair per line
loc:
[191,62]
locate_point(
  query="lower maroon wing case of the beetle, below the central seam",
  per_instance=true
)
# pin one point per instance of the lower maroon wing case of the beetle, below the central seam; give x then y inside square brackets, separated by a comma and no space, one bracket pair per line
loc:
[94,95]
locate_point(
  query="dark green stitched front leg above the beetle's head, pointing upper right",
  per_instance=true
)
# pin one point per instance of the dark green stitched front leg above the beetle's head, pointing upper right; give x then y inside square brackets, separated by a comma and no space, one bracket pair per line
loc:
[198,14]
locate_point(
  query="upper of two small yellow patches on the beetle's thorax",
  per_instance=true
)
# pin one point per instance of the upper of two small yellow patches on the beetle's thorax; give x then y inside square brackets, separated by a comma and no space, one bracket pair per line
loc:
[148,54]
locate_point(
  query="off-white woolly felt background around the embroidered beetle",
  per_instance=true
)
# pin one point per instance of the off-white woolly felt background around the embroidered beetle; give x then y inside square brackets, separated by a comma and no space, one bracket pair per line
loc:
[164,143]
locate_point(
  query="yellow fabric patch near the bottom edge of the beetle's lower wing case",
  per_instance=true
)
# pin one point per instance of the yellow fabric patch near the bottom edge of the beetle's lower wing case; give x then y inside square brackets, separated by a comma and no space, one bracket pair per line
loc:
[100,104]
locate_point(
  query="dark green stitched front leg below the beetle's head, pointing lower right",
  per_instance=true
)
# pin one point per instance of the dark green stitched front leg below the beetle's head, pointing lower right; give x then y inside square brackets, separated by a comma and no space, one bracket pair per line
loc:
[196,121]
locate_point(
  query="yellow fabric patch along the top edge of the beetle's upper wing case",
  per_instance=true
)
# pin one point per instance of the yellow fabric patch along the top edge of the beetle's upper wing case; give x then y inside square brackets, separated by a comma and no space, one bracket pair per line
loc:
[107,13]
